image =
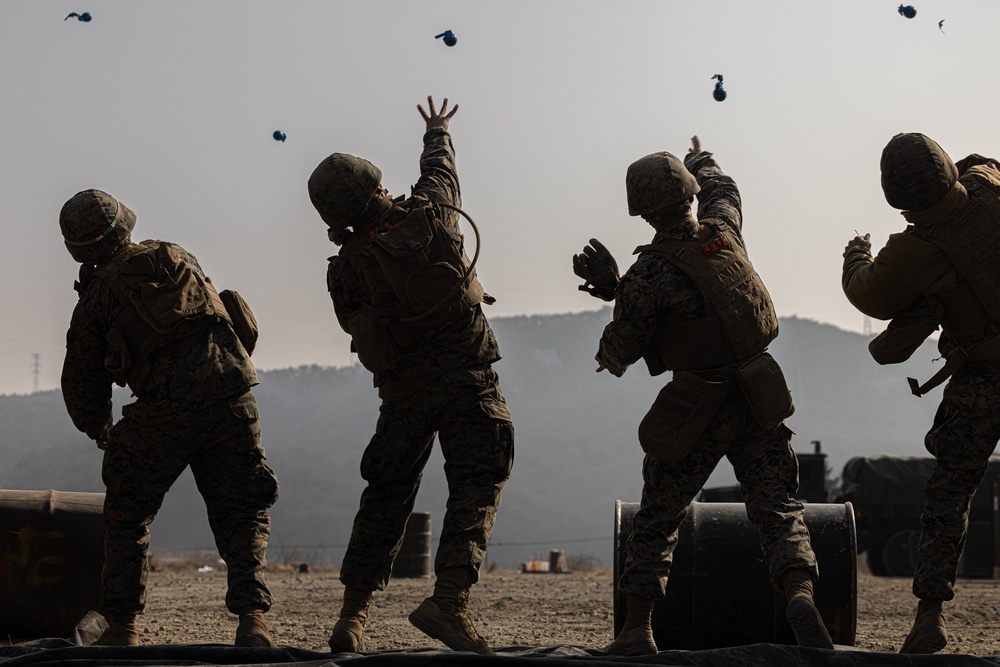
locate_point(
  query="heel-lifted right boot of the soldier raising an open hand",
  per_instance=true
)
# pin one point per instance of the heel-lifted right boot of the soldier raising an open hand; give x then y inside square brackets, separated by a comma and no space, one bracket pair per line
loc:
[444,615]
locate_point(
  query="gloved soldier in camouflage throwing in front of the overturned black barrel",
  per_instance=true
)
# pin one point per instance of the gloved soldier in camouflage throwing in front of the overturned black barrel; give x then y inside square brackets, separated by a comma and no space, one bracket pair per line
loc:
[654,295]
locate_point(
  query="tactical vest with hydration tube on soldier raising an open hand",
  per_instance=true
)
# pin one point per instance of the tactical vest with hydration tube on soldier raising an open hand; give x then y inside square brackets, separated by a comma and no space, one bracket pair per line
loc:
[416,272]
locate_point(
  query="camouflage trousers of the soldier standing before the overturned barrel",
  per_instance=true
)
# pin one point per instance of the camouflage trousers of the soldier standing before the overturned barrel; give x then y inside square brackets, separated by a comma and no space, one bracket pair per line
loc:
[768,473]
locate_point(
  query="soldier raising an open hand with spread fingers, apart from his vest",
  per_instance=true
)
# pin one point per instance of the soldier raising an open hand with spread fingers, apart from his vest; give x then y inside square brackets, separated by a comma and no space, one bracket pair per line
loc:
[440,385]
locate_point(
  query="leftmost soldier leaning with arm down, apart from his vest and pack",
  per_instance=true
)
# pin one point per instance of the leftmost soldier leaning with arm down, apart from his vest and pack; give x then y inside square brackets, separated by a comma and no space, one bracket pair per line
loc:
[194,407]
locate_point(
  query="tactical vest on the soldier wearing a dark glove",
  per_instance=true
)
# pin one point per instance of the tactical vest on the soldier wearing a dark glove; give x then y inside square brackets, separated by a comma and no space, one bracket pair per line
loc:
[743,321]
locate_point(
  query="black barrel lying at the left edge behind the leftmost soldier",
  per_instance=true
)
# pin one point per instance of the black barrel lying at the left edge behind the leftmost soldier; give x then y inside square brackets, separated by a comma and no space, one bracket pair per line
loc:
[51,555]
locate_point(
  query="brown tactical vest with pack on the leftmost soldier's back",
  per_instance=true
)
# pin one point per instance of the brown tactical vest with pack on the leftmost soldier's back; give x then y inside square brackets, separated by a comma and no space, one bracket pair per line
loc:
[166,299]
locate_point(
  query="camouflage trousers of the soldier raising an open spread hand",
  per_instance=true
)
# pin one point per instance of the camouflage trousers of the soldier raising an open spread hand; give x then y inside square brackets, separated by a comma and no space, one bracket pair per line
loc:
[470,417]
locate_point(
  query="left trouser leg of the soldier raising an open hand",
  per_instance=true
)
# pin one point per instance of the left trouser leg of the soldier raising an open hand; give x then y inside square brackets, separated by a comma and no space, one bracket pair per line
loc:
[392,465]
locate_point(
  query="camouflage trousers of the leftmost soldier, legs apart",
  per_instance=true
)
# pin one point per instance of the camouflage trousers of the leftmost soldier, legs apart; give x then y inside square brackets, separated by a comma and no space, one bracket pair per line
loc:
[145,455]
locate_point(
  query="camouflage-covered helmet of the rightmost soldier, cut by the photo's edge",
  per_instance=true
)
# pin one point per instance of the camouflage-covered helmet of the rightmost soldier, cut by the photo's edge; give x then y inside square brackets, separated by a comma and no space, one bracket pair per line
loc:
[916,172]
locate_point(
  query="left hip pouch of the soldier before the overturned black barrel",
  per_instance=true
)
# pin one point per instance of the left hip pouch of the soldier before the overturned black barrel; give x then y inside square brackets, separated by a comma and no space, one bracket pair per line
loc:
[680,414]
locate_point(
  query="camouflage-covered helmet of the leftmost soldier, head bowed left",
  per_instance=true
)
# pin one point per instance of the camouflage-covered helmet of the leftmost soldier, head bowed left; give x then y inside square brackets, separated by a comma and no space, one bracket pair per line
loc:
[94,224]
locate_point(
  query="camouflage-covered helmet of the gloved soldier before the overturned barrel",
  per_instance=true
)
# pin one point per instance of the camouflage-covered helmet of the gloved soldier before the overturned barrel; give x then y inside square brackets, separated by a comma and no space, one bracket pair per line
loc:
[656,181]
